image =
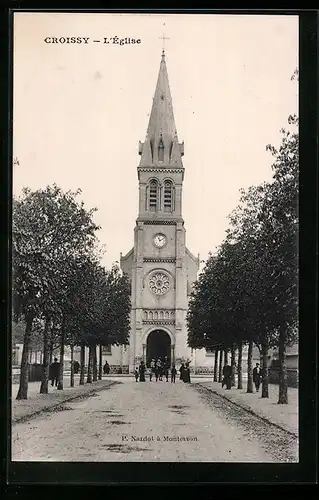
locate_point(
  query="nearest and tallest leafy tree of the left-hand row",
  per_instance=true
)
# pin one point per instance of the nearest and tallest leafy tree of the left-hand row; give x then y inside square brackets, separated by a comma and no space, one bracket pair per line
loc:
[50,228]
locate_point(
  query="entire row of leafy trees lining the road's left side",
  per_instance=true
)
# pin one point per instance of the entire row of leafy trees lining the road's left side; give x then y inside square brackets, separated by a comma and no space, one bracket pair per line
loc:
[61,291]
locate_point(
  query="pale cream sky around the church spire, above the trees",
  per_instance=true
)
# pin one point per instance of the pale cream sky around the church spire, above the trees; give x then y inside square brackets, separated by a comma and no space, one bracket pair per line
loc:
[79,110]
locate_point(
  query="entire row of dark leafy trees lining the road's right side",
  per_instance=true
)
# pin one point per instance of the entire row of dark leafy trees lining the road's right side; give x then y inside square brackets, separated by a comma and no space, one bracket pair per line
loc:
[247,292]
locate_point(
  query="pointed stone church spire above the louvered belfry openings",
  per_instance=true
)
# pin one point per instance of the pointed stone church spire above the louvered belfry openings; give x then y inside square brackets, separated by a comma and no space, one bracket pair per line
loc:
[161,146]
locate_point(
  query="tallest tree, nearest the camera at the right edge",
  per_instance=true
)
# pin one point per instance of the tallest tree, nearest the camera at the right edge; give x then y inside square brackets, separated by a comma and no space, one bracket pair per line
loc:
[282,227]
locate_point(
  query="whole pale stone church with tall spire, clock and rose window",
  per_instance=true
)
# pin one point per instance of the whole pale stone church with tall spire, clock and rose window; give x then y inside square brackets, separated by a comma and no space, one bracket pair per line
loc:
[160,266]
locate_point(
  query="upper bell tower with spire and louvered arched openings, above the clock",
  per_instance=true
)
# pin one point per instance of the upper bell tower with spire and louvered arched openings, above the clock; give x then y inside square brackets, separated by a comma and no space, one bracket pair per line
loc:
[161,171]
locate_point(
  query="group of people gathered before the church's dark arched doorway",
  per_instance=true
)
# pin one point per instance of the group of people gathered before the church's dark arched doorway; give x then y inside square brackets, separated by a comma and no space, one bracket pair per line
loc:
[160,368]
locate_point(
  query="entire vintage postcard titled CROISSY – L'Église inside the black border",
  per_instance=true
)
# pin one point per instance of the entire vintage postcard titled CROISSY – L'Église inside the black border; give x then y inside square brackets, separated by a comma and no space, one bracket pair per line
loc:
[155,188]
